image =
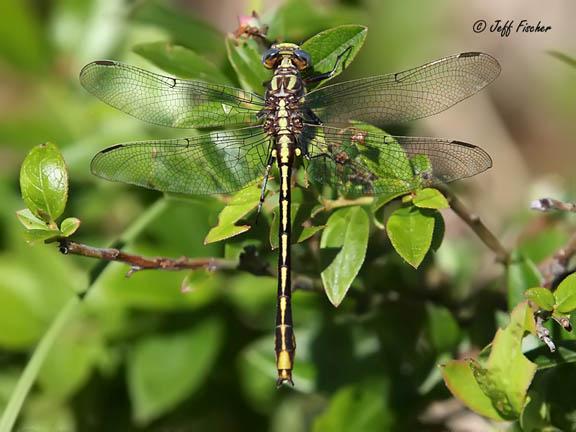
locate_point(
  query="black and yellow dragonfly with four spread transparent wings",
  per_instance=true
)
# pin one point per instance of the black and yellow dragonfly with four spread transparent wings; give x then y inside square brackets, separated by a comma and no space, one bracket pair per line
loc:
[326,130]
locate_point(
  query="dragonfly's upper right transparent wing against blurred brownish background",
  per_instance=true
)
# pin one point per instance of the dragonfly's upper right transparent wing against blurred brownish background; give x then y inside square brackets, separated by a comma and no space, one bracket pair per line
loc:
[403,96]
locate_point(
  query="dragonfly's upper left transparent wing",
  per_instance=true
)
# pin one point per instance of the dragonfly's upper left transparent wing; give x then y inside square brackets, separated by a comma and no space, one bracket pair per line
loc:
[168,101]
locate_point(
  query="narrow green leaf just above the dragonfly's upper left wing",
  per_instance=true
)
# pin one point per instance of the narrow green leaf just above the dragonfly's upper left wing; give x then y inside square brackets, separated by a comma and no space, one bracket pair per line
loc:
[180,61]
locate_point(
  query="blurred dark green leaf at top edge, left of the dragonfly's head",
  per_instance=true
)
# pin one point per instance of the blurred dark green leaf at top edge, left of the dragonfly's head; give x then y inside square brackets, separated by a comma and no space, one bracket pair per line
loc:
[184,29]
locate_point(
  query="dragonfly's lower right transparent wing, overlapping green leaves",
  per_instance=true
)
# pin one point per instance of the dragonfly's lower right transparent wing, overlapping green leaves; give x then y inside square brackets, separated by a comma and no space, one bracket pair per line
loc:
[369,162]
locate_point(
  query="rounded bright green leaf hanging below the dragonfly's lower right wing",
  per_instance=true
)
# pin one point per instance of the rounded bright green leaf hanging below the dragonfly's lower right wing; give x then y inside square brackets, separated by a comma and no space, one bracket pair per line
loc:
[410,230]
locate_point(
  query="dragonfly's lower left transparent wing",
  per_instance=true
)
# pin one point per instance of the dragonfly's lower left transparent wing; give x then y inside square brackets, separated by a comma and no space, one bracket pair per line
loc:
[214,163]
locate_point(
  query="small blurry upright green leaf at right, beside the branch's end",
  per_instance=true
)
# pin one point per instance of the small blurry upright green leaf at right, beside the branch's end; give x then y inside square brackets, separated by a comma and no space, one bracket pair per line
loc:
[521,274]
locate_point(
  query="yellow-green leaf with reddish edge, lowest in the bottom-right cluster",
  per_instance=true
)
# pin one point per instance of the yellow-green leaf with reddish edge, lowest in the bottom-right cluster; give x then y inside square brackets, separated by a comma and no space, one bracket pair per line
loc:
[459,378]
